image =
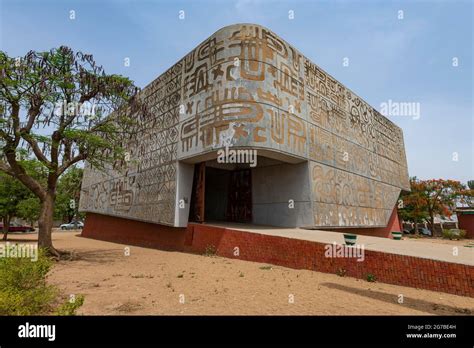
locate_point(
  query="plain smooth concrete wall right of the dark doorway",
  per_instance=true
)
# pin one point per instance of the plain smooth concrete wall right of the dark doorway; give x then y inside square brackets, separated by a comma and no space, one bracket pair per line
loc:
[272,189]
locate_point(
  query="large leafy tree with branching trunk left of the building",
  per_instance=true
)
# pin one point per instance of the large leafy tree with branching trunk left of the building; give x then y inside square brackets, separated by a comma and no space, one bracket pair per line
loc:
[60,108]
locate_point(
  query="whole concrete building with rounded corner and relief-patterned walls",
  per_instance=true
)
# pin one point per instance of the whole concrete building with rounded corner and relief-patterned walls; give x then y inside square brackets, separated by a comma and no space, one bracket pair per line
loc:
[325,159]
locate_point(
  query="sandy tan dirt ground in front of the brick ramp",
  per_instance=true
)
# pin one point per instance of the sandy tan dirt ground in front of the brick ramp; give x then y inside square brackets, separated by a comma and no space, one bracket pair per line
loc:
[150,281]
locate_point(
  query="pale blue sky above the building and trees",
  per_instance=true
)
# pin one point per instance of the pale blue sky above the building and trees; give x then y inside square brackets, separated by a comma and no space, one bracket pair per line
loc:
[408,60]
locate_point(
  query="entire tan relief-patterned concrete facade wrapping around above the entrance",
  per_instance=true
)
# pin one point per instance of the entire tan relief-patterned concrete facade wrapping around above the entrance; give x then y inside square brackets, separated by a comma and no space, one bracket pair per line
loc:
[245,78]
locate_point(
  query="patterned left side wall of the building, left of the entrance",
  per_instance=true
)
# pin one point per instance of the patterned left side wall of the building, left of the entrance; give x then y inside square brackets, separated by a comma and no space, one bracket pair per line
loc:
[144,188]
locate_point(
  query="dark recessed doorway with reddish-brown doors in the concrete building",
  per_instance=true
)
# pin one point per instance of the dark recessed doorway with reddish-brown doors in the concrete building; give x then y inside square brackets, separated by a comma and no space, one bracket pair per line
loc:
[221,194]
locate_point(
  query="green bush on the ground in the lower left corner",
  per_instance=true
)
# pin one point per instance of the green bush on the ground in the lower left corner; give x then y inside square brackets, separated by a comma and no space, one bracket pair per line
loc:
[24,290]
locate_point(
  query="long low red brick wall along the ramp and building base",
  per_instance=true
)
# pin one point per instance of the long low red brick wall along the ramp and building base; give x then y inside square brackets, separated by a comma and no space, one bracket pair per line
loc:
[300,254]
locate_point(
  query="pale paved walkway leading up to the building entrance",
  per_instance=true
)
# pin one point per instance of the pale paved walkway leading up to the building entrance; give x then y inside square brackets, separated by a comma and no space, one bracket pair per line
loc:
[427,250]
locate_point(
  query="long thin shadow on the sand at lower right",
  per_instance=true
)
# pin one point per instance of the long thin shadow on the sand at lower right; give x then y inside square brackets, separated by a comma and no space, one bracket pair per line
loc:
[408,302]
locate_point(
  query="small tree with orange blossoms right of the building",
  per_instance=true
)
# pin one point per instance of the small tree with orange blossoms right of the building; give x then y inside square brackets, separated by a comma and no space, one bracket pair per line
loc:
[428,198]
